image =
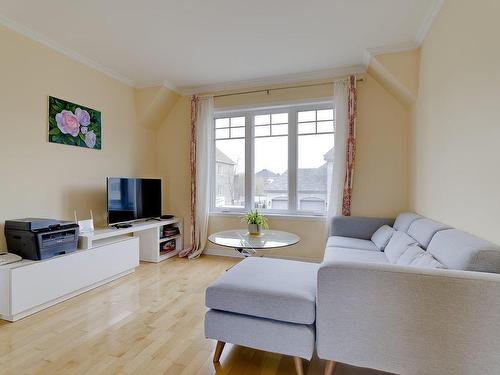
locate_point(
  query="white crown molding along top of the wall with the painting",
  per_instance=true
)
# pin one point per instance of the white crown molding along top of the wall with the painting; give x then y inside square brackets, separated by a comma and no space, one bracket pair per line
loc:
[42,39]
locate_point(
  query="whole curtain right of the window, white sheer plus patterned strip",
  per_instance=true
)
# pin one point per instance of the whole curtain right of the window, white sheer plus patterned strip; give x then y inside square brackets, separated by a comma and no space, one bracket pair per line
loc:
[344,100]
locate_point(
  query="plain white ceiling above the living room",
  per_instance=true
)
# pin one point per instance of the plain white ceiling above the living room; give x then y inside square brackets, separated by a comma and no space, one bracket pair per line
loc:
[186,44]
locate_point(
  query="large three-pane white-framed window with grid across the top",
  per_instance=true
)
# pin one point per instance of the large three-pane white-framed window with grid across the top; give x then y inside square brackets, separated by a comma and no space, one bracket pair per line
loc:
[277,159]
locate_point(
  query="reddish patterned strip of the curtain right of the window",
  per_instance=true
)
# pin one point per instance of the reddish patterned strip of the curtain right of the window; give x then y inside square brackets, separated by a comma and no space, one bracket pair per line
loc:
[350,145]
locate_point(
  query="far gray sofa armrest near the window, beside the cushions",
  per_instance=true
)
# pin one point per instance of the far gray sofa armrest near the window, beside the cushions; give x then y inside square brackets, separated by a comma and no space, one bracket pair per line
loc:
[356,226]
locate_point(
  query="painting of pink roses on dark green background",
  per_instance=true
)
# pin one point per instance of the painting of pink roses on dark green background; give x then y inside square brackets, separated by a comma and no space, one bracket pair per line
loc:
[73,124]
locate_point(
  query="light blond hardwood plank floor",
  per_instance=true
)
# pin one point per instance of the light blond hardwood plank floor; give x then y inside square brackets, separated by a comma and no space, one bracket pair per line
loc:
[150,322]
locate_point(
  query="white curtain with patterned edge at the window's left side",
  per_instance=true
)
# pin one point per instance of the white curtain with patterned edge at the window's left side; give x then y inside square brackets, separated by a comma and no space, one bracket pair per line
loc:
[202,109]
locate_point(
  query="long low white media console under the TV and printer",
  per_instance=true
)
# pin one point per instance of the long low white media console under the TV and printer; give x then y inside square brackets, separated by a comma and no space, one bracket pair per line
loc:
[104,255]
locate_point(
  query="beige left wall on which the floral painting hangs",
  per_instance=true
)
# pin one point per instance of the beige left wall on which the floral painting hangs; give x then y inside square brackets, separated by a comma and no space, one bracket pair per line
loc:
[42,179]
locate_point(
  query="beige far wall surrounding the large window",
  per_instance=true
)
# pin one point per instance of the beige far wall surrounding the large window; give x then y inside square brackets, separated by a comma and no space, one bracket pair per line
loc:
[381,172]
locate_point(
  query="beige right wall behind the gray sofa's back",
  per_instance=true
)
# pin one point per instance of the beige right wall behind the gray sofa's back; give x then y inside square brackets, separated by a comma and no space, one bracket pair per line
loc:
[455,136]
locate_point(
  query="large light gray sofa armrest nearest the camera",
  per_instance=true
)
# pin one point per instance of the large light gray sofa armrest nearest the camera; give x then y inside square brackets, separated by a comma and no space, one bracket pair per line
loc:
[407,320]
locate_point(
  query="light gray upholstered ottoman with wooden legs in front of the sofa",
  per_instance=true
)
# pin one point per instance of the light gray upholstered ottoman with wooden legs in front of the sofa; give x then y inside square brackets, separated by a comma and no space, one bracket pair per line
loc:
[267,304]
